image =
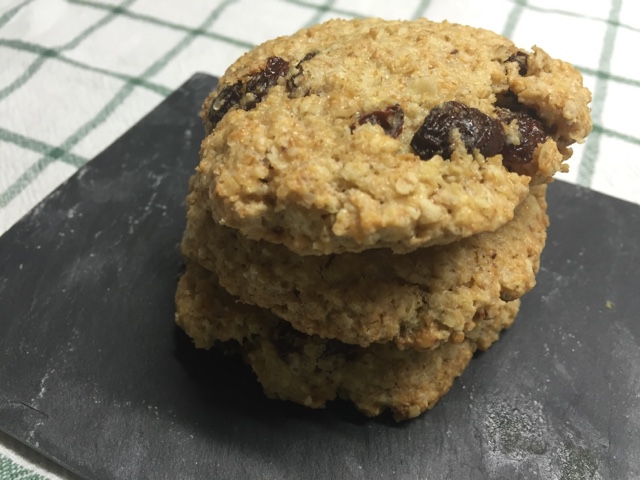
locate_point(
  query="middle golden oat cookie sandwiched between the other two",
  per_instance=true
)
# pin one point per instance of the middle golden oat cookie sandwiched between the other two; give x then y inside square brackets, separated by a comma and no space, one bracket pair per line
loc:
[416,300]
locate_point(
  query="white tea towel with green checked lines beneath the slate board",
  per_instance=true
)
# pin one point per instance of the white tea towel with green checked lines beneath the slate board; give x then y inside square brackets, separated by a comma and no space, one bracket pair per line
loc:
[76,74]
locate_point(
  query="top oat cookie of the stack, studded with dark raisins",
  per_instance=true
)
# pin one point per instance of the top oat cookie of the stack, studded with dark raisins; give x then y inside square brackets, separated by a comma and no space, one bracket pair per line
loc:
[362,134]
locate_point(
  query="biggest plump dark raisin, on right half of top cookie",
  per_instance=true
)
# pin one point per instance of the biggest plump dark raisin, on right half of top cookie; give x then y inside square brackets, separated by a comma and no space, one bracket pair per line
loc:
[477,130]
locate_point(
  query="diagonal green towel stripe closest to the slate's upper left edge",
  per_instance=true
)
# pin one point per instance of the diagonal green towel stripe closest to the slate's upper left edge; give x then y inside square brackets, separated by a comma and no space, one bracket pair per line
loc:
[32,172]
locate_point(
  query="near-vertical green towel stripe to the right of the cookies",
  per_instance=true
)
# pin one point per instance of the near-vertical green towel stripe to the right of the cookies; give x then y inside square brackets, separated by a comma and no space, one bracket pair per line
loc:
[592,148]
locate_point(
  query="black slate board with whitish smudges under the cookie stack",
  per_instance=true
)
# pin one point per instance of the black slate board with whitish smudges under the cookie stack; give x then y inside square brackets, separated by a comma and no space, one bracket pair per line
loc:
[95,375]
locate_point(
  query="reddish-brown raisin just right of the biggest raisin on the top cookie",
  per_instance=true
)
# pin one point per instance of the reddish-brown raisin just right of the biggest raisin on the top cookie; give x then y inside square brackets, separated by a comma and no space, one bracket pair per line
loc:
[532,133]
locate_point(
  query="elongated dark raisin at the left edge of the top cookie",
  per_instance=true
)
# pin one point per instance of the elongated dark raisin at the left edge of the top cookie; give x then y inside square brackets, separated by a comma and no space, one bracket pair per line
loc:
[247,95]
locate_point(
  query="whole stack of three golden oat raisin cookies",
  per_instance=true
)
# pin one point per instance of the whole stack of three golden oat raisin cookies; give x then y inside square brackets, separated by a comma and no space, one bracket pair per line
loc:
[370,206]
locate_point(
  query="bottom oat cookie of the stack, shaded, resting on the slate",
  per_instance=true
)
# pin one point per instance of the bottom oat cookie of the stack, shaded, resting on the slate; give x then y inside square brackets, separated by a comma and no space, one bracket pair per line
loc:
[311,371]
